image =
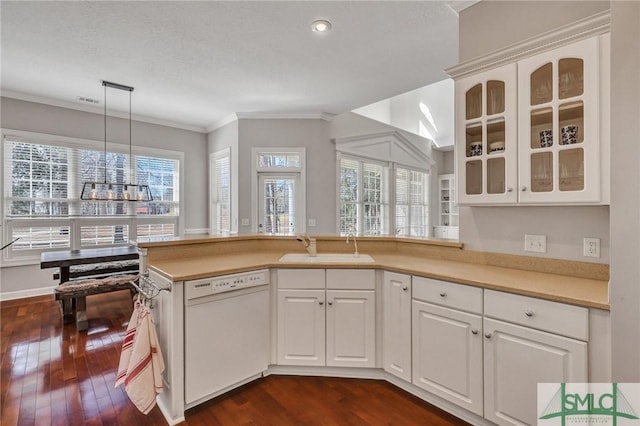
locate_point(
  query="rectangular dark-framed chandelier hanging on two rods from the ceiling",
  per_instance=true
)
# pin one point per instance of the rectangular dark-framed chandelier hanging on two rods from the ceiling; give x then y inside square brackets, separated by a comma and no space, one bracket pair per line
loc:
[110,191]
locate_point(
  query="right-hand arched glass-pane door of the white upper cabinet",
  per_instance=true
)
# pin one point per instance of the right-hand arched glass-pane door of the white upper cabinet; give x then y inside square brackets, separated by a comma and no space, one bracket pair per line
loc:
[558,125]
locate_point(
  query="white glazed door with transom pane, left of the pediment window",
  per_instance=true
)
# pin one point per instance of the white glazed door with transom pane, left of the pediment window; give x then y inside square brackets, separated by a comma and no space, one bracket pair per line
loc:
[279,174]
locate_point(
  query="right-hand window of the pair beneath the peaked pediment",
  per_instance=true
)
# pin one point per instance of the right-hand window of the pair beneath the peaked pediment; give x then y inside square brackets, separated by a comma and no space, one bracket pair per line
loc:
[412,203]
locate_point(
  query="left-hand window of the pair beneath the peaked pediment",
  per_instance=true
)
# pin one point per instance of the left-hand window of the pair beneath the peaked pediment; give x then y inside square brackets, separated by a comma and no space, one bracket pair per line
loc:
[363,193]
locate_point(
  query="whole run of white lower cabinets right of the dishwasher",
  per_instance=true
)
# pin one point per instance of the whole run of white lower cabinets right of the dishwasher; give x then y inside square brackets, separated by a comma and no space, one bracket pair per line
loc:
[482,350]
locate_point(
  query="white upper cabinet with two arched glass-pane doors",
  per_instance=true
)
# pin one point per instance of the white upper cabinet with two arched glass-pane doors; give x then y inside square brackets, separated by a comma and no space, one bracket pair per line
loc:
[535,131]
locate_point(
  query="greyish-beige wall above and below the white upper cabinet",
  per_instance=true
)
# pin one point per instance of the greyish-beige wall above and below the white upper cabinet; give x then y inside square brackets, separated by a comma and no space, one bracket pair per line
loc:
[502,229]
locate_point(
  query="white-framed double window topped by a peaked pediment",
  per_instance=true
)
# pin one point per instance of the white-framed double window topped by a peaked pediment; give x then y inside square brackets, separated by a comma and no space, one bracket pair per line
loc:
[384,184]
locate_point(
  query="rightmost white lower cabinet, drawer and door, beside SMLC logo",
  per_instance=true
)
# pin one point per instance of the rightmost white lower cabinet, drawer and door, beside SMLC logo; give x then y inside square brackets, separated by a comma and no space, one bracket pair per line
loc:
[517,358]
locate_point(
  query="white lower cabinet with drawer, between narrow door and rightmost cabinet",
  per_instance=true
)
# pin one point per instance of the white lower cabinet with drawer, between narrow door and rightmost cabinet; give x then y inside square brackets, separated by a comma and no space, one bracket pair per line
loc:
[447,342]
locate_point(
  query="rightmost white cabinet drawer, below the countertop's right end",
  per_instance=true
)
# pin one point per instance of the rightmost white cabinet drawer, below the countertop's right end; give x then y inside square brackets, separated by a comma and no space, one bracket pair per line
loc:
[554,317]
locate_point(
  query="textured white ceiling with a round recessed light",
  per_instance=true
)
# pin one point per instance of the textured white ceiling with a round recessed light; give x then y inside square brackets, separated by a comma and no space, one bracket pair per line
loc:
[193,64]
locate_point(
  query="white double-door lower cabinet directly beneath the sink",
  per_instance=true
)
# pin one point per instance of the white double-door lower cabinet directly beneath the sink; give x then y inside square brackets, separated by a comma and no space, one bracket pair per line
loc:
[333,326]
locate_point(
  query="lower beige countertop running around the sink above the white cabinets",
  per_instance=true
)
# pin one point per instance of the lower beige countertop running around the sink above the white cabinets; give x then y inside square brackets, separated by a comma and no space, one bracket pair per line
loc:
[586,292]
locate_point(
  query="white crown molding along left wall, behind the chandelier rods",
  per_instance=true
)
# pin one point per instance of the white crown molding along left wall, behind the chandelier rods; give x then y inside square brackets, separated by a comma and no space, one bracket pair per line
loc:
[97,110]
